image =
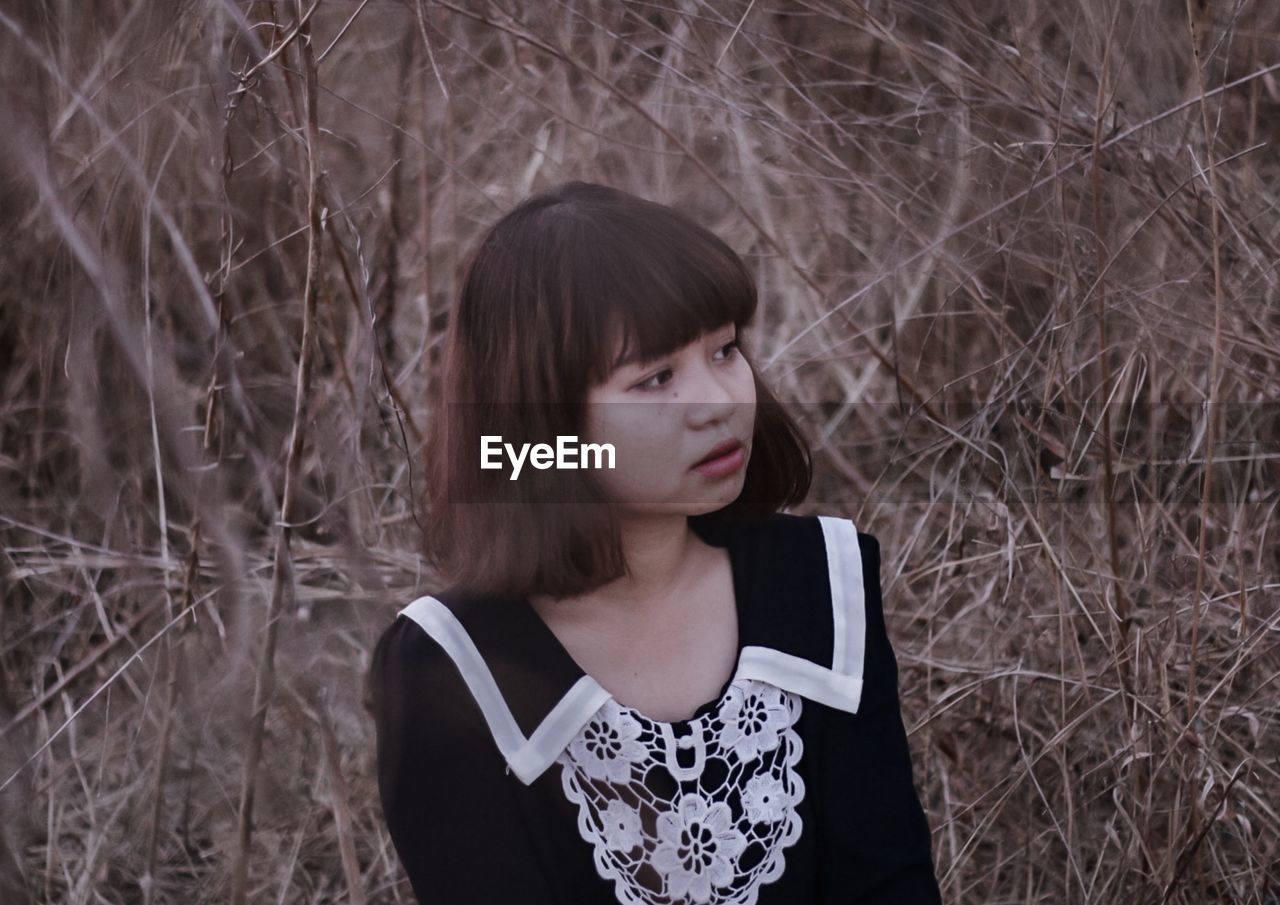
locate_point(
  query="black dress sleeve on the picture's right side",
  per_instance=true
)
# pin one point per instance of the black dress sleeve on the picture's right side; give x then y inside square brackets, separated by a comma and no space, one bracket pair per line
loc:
[885,848]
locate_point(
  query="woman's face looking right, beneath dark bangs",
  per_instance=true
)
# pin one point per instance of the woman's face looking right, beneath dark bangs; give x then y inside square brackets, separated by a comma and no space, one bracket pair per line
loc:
[664,417]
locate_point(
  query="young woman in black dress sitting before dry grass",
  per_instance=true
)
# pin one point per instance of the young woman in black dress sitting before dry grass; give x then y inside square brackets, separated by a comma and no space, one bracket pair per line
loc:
[643,684]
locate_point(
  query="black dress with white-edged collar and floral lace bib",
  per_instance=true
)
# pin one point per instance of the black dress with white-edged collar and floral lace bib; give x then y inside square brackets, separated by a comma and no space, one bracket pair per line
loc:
[508,775]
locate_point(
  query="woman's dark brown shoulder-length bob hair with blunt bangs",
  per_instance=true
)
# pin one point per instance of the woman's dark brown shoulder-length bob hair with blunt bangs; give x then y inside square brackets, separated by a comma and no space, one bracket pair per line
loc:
[552,292]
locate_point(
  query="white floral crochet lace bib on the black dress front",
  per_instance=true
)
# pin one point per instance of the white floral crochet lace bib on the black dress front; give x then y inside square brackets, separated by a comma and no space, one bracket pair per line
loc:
[708,828]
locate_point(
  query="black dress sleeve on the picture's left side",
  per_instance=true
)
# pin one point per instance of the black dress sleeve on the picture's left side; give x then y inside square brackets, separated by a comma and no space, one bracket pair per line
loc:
[450,806]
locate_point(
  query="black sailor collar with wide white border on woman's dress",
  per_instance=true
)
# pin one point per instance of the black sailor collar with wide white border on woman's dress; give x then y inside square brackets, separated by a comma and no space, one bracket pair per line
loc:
[802,627]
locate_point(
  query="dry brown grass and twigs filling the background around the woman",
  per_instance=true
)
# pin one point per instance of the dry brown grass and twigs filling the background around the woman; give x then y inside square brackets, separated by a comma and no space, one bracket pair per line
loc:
[1012,232]
